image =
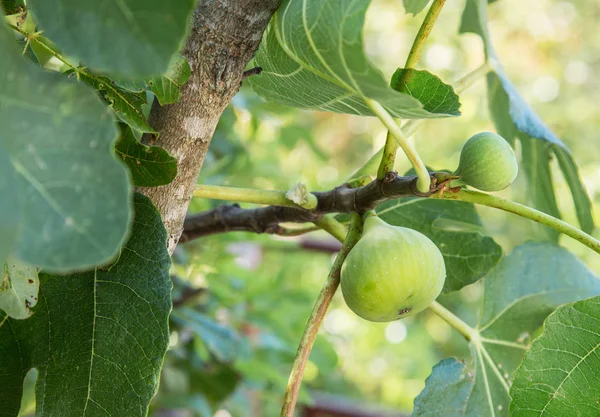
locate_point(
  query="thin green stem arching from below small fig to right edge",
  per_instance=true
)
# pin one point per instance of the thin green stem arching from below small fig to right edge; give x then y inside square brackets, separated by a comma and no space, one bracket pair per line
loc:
[522,210]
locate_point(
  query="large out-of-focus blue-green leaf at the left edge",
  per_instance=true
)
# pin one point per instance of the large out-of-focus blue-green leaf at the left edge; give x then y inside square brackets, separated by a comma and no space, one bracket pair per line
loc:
[71,194]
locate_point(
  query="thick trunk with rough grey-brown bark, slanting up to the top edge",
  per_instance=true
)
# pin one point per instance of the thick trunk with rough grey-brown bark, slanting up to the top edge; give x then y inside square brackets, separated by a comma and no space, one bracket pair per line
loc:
[224,35]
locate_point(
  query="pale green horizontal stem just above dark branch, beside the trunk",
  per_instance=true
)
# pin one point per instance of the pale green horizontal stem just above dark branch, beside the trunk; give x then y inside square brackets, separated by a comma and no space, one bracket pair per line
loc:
[246,195]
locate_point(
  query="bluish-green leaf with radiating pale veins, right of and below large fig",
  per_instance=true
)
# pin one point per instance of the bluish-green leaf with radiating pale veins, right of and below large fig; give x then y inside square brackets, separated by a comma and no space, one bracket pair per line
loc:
[518,295]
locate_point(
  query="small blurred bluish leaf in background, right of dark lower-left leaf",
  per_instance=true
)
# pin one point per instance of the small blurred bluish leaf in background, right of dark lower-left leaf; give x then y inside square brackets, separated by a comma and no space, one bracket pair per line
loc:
[221,341]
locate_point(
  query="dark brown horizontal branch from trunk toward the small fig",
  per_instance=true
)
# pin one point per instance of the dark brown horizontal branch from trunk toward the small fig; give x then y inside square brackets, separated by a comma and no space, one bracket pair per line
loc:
[230,218]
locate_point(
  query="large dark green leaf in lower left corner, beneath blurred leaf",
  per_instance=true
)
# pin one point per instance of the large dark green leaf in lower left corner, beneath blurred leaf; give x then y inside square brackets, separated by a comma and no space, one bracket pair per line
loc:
[97,338]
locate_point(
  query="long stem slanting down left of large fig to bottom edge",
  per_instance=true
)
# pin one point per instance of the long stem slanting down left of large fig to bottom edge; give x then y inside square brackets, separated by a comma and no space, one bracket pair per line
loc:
[317,315]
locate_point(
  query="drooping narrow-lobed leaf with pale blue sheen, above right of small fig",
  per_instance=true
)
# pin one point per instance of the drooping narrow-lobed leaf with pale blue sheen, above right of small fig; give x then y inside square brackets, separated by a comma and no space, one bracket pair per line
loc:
[513,118]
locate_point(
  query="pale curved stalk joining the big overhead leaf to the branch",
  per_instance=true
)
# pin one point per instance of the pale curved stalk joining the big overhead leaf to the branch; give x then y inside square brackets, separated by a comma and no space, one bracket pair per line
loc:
[394,129]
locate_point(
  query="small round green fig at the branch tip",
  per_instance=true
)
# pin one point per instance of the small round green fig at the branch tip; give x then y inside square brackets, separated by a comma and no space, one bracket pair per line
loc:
[487,162]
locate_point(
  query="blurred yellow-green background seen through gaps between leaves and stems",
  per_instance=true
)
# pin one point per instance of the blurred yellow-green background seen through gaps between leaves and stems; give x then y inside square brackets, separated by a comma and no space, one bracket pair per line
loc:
[247,297]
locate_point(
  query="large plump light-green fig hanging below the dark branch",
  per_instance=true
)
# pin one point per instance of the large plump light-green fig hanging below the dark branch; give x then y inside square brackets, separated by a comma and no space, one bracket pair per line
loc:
[392,272]
